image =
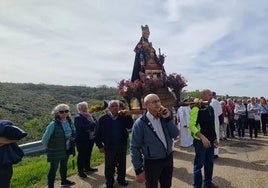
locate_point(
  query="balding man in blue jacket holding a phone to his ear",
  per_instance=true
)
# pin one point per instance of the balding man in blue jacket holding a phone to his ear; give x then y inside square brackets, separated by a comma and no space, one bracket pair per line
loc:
[151,145]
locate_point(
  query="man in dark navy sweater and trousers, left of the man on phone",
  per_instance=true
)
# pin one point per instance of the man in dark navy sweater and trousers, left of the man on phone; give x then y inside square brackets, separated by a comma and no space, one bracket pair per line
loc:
[111,137]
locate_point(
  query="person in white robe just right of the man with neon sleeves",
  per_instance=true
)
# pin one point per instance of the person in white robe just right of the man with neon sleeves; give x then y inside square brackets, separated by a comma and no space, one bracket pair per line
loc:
[217,113]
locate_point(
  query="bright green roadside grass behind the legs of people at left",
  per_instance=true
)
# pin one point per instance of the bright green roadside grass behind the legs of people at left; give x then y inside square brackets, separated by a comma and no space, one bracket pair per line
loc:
[31,172]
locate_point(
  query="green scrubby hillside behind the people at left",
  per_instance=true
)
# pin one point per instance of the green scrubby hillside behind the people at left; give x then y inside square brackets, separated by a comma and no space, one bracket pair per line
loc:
[29,105]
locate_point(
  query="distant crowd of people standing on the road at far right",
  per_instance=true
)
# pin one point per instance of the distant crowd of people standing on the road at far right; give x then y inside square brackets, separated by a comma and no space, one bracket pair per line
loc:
[240,114]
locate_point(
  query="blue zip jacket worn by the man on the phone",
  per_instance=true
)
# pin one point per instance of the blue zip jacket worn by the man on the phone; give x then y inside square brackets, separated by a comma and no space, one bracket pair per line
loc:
[145,144]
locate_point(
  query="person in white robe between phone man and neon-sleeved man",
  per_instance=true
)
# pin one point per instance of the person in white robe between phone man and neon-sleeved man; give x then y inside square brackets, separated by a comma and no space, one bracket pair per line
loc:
[183,116]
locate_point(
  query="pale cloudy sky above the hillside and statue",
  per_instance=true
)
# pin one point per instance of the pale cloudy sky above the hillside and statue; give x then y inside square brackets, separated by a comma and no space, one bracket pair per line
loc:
[220,45]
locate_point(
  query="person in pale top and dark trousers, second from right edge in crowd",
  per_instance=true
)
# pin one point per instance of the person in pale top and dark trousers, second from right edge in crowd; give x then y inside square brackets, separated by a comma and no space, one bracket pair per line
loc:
[253,121]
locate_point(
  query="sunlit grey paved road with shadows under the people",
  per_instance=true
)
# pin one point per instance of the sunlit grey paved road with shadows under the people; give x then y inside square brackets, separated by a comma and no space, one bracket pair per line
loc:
[242,164]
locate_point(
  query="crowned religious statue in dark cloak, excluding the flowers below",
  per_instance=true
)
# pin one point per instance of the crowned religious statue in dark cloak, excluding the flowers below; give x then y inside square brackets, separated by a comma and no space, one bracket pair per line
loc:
[147,64]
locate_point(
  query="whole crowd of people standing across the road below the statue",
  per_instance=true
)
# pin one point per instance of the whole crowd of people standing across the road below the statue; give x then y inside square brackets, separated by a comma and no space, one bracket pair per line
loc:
[202,123]
